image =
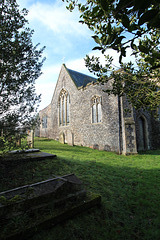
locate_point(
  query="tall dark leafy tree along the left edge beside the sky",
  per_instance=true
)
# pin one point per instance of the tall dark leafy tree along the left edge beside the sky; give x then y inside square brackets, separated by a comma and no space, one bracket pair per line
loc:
[20,66]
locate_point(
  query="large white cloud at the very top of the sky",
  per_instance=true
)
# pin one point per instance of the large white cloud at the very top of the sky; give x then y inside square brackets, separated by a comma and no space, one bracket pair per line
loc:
[57,18]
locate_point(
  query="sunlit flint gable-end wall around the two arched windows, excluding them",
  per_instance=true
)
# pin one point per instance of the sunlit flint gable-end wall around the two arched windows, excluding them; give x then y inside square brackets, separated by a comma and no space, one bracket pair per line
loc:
[81,130]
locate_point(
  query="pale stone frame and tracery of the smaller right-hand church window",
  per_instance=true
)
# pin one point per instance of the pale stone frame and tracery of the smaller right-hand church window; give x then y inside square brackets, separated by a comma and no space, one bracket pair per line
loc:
[96,100]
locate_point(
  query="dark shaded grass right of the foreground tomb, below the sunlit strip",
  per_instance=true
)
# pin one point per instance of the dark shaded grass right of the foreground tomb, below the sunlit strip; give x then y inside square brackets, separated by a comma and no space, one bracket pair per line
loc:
[130,199]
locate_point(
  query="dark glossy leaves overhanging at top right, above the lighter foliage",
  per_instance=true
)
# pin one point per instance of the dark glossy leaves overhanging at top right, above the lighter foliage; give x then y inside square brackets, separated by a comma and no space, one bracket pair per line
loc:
[117,24]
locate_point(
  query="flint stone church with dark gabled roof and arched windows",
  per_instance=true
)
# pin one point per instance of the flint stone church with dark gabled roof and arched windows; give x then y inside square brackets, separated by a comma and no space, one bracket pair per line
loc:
[81,113]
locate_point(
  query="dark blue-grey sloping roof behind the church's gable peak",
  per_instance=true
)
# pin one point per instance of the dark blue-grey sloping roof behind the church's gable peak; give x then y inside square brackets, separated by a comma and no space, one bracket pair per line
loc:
[80,79]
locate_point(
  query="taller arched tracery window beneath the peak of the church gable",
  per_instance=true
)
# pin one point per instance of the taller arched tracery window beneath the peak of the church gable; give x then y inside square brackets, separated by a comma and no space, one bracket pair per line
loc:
[64,102]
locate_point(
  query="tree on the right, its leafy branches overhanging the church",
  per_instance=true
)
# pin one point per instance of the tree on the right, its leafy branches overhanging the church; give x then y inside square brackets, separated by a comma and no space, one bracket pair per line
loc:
[120,25]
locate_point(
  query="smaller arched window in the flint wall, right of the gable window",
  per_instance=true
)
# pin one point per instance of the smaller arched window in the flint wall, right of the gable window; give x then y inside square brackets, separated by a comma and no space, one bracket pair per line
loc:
[96,103]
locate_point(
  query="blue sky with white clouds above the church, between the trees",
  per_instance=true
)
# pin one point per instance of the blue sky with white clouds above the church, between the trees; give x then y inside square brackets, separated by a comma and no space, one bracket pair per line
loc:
[67,41]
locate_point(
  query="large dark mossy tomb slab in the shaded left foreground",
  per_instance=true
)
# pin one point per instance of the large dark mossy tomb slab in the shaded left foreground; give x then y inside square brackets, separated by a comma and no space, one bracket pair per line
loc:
[42,204]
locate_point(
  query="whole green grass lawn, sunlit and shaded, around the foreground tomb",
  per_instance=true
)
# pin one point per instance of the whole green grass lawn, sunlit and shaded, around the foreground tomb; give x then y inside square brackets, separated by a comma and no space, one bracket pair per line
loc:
[129,186]
